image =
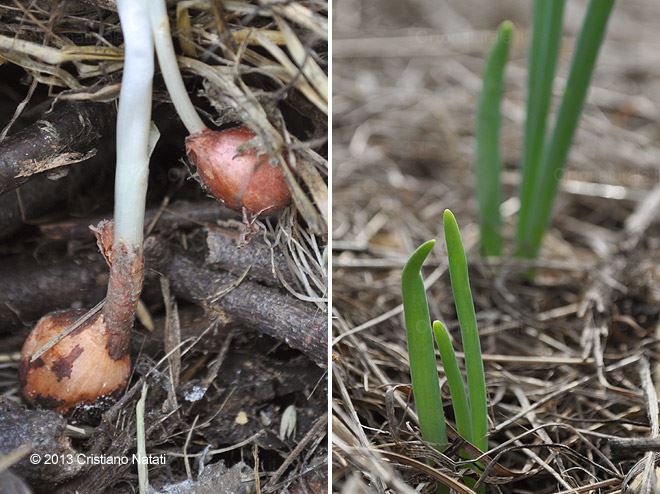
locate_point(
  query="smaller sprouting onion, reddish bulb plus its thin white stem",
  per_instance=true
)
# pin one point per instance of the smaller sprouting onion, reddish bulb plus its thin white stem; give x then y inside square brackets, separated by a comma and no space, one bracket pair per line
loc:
[235,174]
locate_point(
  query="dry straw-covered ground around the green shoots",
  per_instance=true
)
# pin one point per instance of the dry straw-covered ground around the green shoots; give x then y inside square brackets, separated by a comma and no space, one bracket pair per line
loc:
[571,356]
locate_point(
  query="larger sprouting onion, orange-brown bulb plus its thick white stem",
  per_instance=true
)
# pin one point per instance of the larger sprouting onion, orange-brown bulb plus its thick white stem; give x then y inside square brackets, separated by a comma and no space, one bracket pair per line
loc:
[92,361]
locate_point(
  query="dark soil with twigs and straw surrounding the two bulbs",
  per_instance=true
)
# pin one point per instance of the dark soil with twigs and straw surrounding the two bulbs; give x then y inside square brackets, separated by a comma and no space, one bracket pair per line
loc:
[229,350]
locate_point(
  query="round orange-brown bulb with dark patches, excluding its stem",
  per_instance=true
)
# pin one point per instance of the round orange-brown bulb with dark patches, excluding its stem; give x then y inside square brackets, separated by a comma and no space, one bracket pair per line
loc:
[78,369]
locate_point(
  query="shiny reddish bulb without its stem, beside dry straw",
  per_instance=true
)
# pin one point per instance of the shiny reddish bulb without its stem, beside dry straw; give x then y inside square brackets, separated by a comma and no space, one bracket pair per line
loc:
[239,178]
